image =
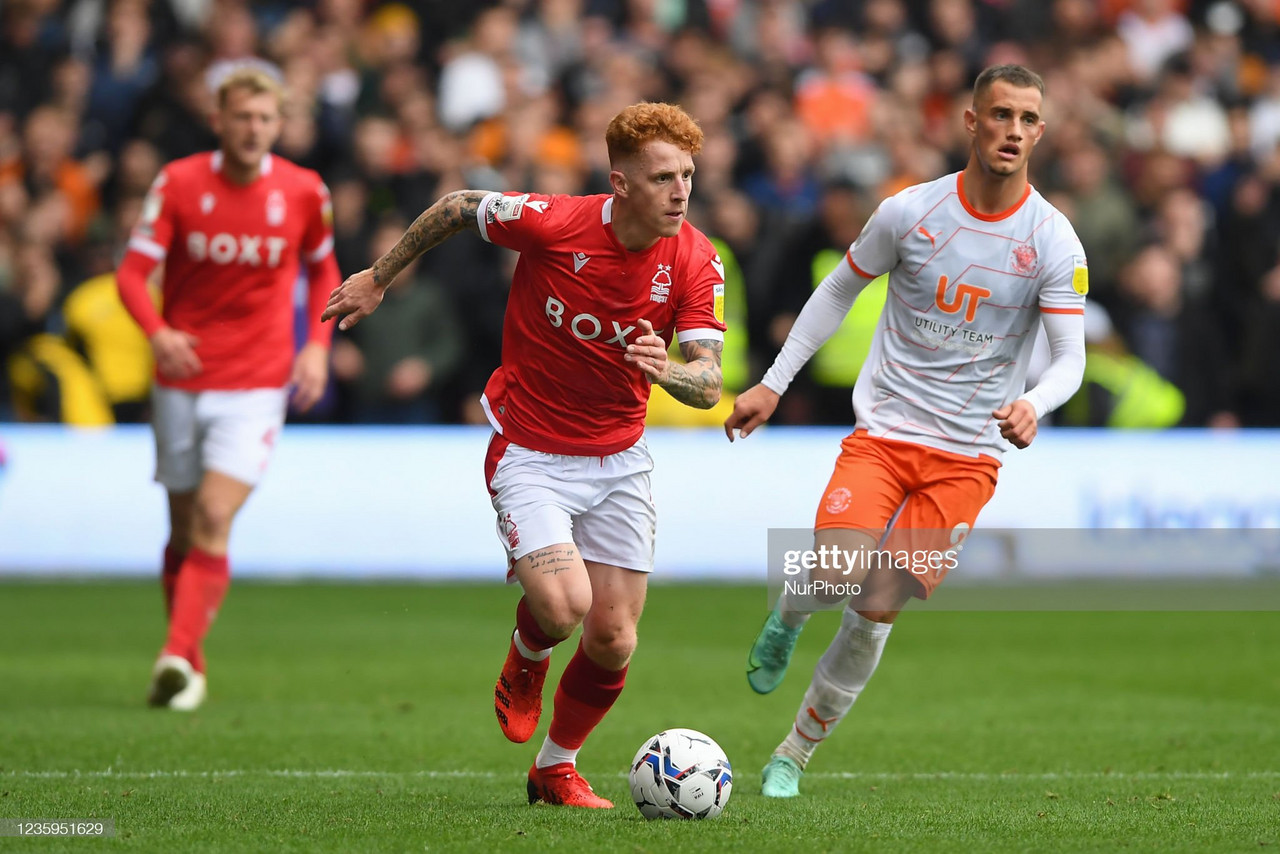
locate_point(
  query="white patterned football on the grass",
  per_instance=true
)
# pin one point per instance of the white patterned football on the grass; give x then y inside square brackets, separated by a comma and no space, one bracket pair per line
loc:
[682,774]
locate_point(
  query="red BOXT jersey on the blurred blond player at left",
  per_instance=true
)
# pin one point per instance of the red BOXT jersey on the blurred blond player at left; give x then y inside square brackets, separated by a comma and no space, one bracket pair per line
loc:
[231,262]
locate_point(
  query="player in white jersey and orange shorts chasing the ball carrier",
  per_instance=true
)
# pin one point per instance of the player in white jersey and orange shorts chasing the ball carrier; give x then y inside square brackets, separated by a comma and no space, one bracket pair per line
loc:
[976,261]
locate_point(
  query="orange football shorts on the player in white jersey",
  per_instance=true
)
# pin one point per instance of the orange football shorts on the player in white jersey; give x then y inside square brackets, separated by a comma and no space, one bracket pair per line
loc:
[926,500]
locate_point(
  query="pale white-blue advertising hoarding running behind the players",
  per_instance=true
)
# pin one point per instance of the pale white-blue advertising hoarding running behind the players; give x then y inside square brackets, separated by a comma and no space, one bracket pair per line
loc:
[374,503]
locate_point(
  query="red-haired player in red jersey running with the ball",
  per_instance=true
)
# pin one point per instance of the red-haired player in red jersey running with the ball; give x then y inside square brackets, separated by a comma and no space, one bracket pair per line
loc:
[602,285]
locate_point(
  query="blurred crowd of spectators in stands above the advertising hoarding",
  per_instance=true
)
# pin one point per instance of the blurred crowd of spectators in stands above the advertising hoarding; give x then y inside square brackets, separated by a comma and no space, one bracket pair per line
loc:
[1163,149]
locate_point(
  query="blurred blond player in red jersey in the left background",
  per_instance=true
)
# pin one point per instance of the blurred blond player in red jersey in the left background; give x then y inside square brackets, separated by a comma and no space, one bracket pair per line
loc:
[232,229]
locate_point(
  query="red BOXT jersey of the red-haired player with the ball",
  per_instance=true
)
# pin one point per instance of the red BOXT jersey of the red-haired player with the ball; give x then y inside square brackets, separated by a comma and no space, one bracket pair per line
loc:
[577,300]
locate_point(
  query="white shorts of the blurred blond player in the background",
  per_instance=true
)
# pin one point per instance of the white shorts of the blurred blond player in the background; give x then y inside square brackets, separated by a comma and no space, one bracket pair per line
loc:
[232,433]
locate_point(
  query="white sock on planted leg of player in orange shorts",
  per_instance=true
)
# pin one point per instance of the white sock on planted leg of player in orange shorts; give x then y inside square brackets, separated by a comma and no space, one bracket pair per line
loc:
[838,681]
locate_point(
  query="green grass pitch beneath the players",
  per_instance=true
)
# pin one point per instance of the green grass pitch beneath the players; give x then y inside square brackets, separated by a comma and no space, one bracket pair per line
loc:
[358,719]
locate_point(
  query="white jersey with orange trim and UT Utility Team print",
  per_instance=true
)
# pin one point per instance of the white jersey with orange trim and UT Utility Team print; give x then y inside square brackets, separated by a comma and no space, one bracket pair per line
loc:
[966,291]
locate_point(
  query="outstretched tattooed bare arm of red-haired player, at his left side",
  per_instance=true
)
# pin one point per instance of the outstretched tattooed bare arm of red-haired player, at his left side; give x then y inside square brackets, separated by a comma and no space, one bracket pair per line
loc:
[358,298]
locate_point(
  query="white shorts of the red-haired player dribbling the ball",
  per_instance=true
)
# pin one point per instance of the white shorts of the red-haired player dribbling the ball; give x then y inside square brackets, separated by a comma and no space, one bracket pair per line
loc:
[602,505]
